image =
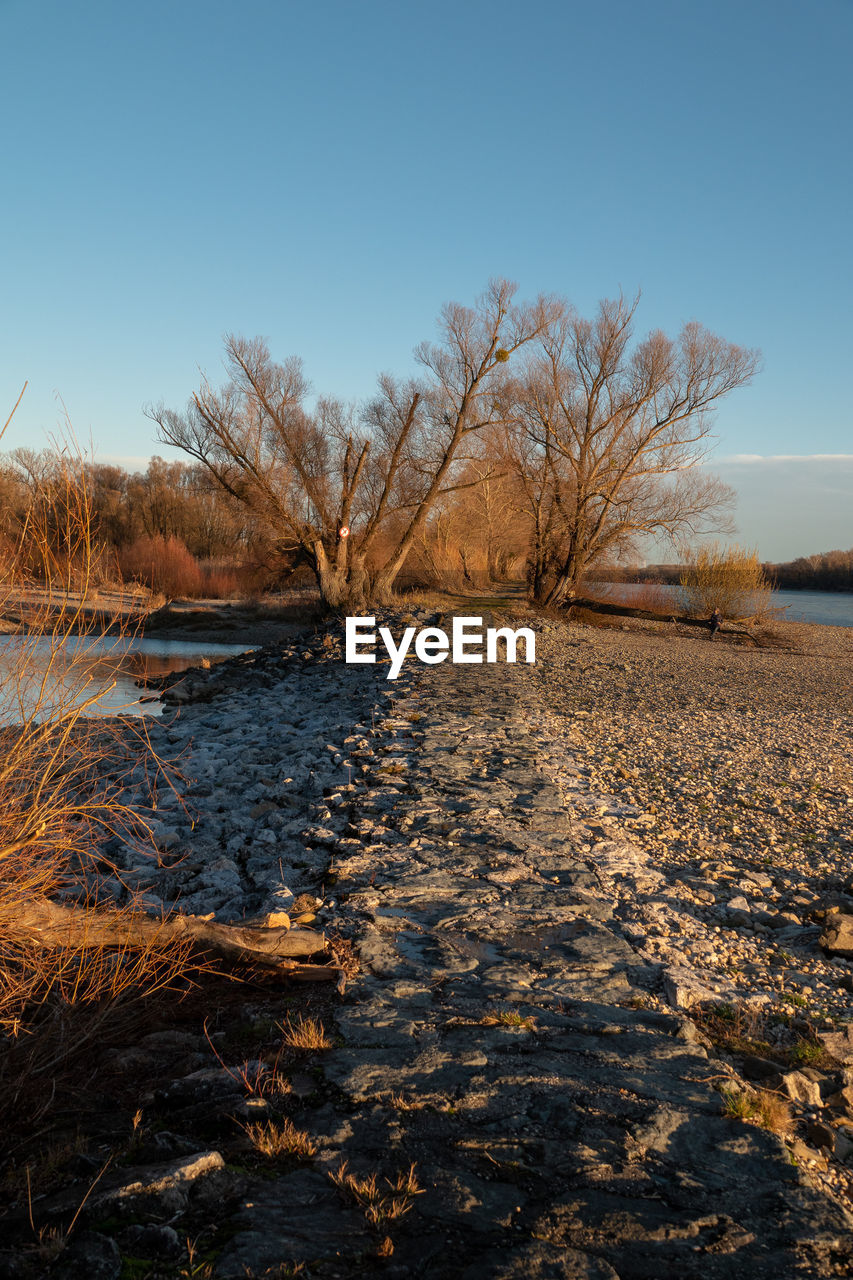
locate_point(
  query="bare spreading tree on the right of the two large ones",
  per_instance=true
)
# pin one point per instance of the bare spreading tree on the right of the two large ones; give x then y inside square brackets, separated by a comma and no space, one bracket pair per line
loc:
[621,429]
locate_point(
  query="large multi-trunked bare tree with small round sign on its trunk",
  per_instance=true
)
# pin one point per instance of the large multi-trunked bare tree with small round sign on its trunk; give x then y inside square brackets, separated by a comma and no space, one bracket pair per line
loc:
[353,492]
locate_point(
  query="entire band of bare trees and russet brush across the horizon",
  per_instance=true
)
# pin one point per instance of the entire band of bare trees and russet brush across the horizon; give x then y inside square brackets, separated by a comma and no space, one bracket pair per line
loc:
[535,442]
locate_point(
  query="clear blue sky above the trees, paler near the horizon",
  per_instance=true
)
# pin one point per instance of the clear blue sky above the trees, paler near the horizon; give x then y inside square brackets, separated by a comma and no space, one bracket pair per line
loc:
[327,175]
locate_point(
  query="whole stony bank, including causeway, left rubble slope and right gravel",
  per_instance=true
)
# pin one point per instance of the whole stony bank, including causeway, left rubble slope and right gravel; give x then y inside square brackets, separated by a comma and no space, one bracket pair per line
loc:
[514,1032]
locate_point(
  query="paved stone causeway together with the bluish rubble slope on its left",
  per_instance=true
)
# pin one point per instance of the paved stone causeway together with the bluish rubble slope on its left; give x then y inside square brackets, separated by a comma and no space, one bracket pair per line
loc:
[507,1096]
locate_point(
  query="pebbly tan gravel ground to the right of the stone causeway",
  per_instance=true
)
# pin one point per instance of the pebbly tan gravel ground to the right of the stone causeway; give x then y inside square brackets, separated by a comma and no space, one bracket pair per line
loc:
[714,787]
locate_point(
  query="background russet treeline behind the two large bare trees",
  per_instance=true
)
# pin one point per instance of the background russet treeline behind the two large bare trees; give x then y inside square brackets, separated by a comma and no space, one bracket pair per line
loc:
[177,531]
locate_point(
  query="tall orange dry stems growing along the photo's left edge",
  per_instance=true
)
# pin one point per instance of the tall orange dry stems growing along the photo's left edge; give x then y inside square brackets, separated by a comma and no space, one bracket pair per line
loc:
[61,781]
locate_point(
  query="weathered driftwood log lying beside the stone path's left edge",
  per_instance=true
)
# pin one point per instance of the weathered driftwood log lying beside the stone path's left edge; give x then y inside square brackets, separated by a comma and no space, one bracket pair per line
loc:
[52,925]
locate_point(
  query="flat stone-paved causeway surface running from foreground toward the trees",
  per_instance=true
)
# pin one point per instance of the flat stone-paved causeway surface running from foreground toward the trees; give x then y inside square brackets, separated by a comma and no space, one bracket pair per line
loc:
[559,1128]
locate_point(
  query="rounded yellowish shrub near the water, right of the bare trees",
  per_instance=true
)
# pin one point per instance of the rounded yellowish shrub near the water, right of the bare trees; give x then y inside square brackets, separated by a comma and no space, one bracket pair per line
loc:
[729,579]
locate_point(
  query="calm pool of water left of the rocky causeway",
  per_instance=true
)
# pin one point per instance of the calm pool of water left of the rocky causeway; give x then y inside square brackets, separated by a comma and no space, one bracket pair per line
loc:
[111,670]
